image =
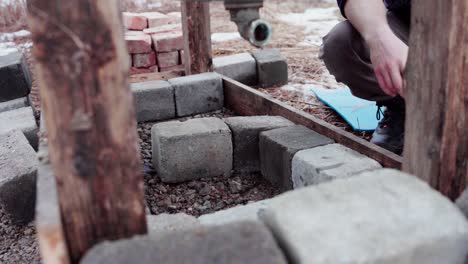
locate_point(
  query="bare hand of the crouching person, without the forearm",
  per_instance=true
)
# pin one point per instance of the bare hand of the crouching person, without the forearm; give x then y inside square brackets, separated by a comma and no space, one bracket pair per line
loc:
[388,55]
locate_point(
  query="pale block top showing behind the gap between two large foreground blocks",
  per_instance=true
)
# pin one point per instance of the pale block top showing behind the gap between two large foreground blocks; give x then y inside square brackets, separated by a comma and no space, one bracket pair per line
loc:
[248,212]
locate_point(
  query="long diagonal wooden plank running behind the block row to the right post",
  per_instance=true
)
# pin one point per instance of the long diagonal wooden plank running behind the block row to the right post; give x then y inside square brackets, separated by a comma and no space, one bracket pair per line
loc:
[247,101]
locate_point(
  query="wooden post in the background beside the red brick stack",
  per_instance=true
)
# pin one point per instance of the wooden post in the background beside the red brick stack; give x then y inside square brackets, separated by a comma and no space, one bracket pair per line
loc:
[197,36]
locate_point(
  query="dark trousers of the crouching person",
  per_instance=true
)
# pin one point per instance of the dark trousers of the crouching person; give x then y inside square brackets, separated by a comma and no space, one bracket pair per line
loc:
[347,57]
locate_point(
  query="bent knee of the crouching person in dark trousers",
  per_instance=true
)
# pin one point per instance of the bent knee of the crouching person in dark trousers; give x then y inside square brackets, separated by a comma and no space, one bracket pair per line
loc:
[337,47]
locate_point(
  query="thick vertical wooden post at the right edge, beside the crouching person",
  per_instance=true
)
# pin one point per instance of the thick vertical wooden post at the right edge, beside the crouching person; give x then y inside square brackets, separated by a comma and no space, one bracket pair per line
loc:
[436,144]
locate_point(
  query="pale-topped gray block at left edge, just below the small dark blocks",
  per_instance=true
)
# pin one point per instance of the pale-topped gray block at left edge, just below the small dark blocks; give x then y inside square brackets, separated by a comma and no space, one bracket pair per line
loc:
[22,119]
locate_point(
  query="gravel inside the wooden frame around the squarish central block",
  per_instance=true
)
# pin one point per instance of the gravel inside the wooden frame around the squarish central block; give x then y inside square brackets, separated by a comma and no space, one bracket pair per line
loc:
[202,196]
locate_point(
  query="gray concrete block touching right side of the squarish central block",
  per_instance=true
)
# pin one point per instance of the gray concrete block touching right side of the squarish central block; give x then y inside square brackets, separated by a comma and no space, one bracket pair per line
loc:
[245,134]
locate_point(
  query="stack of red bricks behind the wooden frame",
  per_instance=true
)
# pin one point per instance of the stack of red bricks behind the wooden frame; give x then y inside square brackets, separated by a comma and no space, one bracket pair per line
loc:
[154,41]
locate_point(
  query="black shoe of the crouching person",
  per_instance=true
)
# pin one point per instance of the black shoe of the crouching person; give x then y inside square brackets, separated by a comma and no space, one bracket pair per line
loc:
[390,133]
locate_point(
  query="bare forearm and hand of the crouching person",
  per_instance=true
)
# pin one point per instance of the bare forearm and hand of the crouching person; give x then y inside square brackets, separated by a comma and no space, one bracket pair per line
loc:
[388,52]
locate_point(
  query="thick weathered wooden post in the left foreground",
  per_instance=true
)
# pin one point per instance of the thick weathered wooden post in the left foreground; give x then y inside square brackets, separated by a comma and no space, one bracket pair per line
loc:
[82,67]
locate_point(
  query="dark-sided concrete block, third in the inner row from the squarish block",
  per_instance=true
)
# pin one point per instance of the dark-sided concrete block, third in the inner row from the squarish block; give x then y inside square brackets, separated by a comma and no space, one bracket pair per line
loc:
[278,147]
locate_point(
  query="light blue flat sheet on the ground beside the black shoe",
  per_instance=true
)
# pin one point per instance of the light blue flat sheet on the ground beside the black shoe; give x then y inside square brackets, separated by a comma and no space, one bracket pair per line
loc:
[360,114]
